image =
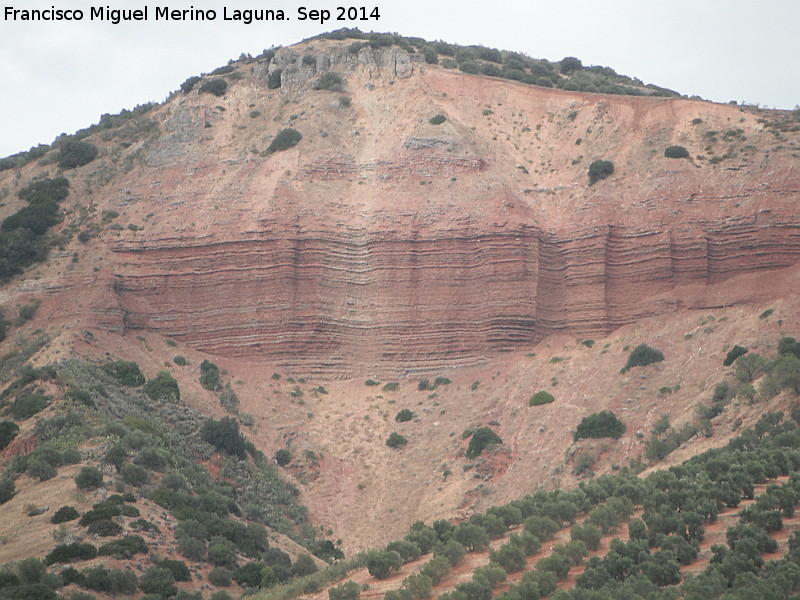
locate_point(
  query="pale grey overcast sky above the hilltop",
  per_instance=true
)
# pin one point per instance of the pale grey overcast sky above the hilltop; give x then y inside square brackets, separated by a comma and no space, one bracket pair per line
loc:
[60,76]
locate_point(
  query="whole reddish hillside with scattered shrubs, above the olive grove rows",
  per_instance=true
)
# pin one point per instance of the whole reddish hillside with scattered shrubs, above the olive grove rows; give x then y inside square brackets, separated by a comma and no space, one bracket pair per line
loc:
[308,244]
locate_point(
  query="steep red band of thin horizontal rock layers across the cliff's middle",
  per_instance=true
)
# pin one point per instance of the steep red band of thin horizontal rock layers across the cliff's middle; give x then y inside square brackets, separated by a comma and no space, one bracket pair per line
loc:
[325,303]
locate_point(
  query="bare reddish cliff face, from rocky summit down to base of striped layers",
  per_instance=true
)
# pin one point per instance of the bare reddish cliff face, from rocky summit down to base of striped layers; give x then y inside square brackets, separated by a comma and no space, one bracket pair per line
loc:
[385,243]
